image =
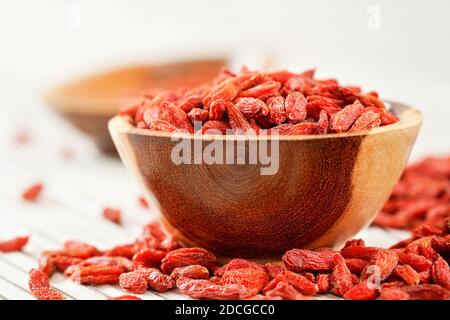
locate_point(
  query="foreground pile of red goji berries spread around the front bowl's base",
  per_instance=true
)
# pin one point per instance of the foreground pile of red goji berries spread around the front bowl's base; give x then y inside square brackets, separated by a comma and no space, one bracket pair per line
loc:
[416,268]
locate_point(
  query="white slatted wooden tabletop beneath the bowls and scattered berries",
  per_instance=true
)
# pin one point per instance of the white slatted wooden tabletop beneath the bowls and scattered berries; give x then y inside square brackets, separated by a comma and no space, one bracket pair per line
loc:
[75,192]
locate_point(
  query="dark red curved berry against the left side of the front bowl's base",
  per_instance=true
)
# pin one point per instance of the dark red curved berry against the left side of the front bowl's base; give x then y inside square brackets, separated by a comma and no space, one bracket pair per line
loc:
[185,257]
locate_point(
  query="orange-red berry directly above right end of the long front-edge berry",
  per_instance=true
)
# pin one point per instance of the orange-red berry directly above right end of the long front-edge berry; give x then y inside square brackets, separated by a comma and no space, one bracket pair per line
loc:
[251,278]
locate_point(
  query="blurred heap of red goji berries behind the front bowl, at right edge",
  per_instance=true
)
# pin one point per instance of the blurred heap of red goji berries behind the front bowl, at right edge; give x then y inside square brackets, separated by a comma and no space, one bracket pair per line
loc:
[421,196]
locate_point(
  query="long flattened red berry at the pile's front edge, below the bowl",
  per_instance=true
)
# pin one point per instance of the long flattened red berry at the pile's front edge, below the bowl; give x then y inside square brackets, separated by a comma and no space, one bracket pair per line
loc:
[205,289]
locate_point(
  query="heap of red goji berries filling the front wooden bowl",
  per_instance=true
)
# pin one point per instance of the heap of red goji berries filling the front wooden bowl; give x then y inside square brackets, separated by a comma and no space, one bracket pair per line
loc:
[251,102]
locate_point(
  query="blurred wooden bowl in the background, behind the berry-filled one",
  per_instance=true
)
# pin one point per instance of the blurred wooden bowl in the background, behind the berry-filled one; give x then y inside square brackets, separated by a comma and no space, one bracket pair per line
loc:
[90,102]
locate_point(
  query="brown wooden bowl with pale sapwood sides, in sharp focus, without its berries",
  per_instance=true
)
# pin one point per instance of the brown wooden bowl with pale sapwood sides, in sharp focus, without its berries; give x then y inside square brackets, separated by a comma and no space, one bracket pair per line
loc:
[327,187]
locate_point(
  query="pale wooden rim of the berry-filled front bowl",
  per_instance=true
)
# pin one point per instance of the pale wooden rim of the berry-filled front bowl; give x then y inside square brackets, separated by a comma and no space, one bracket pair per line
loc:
[408,117]
